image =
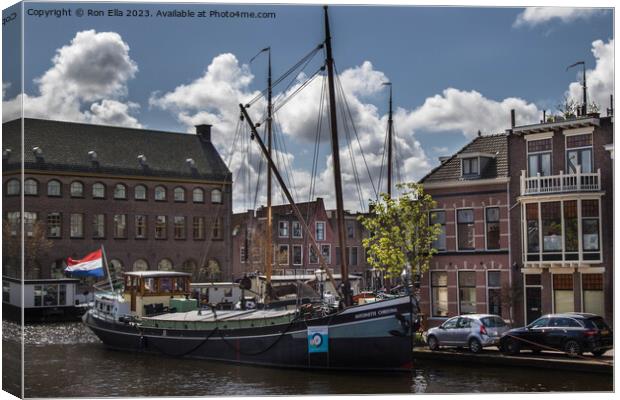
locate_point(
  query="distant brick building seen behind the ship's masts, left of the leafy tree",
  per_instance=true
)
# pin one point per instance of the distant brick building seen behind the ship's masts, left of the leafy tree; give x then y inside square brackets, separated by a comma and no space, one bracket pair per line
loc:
[292,251]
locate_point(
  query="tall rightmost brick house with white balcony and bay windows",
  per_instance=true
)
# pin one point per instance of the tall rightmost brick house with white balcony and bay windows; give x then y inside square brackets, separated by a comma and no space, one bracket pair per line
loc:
[561,189]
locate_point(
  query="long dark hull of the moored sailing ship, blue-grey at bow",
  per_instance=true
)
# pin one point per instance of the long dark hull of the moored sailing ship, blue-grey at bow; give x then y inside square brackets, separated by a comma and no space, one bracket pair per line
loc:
[375,336]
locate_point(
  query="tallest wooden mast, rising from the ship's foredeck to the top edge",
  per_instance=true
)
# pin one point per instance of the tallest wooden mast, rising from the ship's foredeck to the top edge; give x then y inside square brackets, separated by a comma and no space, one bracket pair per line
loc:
[344,271]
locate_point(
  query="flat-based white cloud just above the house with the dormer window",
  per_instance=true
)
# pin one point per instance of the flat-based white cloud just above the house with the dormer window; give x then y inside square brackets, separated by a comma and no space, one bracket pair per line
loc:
[468,112]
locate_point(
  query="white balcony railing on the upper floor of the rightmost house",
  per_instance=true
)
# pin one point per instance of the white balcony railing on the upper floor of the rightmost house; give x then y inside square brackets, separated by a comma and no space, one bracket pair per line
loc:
[563,183]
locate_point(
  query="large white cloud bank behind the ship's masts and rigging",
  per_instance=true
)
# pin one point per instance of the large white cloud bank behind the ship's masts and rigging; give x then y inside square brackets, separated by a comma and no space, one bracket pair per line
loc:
[214,97]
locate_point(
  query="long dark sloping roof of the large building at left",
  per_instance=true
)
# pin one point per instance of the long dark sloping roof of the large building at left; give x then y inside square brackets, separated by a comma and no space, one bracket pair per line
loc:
[65,146]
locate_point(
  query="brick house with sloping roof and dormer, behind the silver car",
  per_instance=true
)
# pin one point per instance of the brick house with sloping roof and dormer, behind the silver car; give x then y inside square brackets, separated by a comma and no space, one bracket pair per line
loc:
[471,271]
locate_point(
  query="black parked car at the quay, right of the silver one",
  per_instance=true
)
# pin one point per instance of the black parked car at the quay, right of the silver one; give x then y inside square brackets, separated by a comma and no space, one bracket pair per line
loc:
[573,333]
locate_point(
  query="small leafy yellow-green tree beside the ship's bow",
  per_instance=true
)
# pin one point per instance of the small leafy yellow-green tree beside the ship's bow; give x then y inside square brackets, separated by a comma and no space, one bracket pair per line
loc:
[400,231]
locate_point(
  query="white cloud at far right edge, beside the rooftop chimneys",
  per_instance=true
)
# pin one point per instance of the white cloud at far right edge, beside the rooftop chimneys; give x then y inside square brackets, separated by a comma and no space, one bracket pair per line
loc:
[600,80]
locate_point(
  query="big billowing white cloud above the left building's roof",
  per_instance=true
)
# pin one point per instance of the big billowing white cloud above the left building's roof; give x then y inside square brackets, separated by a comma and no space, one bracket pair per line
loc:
[87,79]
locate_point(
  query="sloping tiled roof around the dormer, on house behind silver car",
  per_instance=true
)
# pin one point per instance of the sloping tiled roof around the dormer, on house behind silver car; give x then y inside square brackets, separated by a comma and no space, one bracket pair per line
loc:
[450,169]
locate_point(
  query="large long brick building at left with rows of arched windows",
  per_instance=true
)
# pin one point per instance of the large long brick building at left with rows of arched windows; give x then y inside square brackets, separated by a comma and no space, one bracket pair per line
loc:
[155,200]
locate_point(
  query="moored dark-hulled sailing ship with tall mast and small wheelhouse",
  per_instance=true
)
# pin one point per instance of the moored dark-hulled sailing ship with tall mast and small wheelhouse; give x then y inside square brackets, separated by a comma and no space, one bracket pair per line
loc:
[155,314]
